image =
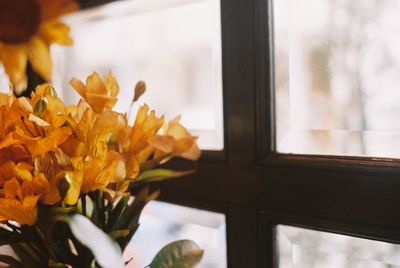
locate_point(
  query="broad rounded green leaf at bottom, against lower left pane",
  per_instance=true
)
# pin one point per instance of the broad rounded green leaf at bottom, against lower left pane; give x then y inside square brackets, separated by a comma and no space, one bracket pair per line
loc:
[178,254]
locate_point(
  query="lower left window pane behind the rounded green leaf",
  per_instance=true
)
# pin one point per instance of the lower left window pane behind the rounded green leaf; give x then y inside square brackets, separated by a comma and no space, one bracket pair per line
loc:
[162,223]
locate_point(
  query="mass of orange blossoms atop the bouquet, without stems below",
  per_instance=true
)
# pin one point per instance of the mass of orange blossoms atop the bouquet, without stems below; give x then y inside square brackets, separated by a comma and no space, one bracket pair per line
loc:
[50,153]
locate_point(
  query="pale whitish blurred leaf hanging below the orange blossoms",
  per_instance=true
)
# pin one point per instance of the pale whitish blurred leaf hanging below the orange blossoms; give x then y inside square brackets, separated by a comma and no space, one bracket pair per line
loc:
[105,250]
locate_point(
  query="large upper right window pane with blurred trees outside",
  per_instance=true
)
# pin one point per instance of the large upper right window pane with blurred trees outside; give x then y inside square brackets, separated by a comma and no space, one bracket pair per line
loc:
[337,76]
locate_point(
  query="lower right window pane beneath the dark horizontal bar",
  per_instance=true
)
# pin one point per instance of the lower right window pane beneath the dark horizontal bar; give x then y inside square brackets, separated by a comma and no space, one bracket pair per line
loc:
[303,248]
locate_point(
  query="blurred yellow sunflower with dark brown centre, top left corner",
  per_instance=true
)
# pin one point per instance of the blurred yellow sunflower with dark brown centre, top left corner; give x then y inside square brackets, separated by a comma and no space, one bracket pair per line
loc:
[27,29]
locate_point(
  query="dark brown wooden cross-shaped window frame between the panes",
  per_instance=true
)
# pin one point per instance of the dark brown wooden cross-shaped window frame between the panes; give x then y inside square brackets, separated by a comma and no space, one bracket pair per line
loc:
[257,188]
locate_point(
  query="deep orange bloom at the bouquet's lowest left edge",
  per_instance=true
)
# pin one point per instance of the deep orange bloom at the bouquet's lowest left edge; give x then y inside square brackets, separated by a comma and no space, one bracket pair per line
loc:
[16,204]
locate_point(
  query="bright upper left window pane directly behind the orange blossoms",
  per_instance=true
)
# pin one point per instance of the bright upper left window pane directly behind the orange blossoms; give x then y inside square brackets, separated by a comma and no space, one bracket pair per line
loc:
[173,45]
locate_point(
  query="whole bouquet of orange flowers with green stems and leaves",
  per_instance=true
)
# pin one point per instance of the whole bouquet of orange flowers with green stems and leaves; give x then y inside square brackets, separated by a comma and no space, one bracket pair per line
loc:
[67,174]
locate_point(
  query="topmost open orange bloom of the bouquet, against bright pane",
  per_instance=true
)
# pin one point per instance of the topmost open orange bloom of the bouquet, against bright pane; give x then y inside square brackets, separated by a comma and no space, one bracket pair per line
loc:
[99,94]
